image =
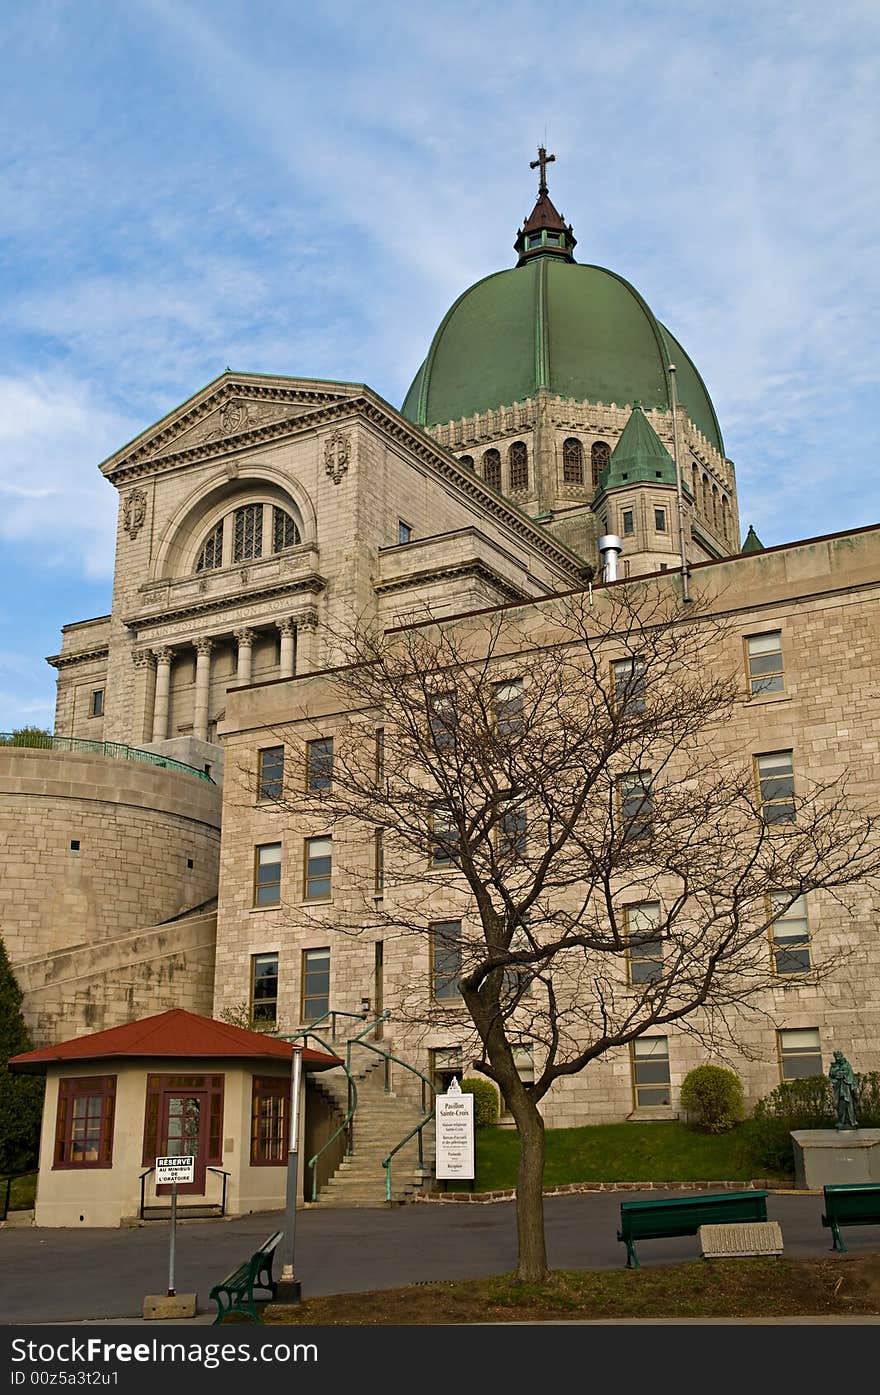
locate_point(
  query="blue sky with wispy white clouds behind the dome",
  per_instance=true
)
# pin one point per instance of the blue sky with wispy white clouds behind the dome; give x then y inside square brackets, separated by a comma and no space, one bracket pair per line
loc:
[190,185]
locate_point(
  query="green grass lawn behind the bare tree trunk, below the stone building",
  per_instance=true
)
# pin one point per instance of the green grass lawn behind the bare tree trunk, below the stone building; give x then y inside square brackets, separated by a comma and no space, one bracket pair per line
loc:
[620,1153]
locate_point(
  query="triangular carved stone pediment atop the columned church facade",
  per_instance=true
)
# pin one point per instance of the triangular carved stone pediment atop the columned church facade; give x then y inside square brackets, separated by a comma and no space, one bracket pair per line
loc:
[227,411]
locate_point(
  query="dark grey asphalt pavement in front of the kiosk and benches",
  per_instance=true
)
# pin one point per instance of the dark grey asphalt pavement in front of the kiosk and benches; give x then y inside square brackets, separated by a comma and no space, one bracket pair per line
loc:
[51,1276]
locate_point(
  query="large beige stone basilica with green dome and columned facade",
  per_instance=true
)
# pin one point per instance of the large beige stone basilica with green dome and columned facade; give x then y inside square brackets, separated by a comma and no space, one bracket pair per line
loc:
[266,514]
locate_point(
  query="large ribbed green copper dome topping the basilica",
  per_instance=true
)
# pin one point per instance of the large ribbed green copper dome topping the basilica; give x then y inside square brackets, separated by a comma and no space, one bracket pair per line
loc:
[579,331]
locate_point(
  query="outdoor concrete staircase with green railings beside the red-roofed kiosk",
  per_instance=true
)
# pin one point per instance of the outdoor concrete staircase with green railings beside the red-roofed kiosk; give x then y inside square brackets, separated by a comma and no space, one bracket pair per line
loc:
[381,1122]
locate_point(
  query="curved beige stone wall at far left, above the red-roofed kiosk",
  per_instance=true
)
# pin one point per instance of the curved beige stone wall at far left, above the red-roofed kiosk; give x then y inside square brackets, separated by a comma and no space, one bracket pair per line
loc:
[94,847]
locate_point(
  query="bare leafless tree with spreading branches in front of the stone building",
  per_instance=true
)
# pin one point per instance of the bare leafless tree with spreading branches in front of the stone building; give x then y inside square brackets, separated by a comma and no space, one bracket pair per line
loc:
[610,856]
